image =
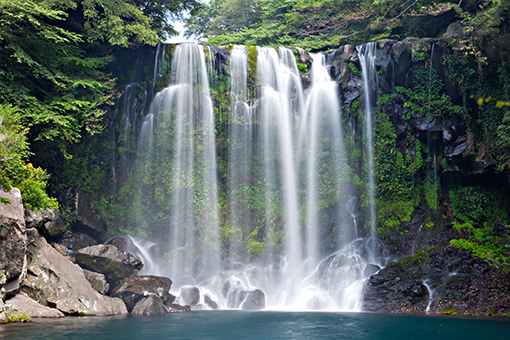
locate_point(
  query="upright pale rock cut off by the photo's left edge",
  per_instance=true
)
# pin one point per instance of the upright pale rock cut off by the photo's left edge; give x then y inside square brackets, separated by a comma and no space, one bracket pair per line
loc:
[13,240]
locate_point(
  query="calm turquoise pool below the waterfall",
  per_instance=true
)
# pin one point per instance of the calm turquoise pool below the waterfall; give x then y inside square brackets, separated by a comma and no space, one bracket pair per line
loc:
[262,325]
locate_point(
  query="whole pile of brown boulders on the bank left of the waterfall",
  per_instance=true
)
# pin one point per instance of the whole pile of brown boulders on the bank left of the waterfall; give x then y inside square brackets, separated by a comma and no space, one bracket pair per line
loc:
[75,274]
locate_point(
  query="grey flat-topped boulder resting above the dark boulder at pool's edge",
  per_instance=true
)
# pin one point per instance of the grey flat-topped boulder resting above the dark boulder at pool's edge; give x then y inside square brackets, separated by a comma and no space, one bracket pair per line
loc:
[109,260]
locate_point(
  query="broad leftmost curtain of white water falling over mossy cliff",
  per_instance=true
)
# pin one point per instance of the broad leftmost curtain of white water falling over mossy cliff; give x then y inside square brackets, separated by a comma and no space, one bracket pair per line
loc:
[178,135]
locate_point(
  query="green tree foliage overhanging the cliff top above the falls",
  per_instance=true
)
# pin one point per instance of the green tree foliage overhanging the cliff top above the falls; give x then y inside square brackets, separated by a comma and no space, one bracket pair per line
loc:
[325,24]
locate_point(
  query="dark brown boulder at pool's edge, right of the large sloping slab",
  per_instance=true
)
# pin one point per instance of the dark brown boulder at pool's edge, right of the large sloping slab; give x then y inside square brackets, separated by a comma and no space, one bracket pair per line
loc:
[134,288]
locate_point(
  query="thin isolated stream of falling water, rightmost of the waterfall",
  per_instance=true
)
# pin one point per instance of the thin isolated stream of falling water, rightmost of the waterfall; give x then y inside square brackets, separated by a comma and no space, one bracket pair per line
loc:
[367,55]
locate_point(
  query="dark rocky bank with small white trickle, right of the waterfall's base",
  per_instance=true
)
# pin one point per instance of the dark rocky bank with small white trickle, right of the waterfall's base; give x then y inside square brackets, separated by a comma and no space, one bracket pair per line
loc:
[439,280]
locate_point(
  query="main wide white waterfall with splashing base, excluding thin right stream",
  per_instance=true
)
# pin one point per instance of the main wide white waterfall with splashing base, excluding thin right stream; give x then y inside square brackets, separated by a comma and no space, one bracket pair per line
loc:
[286,154]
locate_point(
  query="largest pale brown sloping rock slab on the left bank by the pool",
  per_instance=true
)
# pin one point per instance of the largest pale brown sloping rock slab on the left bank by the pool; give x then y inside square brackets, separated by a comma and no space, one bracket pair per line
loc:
[55,281]
